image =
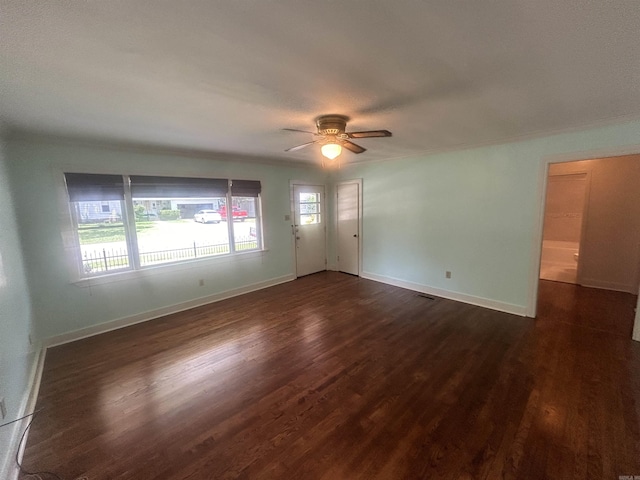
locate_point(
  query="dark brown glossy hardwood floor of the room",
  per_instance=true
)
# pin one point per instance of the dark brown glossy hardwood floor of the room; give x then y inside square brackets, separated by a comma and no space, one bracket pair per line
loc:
[336,377]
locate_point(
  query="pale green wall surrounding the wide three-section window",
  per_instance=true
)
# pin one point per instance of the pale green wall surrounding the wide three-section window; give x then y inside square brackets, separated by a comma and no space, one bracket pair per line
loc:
[60,306]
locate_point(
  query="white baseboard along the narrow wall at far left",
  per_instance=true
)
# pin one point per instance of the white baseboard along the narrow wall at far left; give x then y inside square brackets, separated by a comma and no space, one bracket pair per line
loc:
[10,470]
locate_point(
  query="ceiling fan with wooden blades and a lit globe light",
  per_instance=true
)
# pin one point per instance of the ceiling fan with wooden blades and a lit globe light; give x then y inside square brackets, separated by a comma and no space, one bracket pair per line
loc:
[332,136]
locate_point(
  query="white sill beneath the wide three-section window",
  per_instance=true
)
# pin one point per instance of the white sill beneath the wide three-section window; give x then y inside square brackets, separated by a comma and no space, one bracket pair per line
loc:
[167,268]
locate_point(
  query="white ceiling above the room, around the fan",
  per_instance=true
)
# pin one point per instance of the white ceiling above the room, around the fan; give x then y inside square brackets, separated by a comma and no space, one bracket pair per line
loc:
[228,75]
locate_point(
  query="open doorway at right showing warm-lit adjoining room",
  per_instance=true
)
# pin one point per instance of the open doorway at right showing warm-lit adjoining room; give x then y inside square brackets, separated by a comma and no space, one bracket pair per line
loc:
[606,255]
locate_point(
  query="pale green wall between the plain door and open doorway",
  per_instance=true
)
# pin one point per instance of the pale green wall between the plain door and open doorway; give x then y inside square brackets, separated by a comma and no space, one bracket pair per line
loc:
[472,212]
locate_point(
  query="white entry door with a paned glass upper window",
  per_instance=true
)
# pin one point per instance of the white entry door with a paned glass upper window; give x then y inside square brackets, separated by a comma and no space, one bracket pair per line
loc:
[309,229]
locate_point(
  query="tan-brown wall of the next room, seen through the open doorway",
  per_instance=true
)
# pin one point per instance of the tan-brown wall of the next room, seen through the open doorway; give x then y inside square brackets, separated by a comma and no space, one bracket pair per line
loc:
[610,247]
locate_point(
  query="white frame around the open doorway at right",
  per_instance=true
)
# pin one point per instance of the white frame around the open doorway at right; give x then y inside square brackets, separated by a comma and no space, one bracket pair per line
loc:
[536,251]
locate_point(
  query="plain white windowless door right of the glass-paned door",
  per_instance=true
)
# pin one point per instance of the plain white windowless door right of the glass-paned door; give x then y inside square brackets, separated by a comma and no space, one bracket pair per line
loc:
[348,202]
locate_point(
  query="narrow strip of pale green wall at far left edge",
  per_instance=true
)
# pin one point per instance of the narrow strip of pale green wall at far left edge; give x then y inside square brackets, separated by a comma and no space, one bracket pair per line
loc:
[16,354]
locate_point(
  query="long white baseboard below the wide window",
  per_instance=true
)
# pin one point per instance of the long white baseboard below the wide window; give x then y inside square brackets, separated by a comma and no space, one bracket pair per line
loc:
[161,312]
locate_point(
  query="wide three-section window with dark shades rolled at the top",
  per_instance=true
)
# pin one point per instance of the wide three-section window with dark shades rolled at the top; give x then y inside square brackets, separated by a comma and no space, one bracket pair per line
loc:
[133,222]
